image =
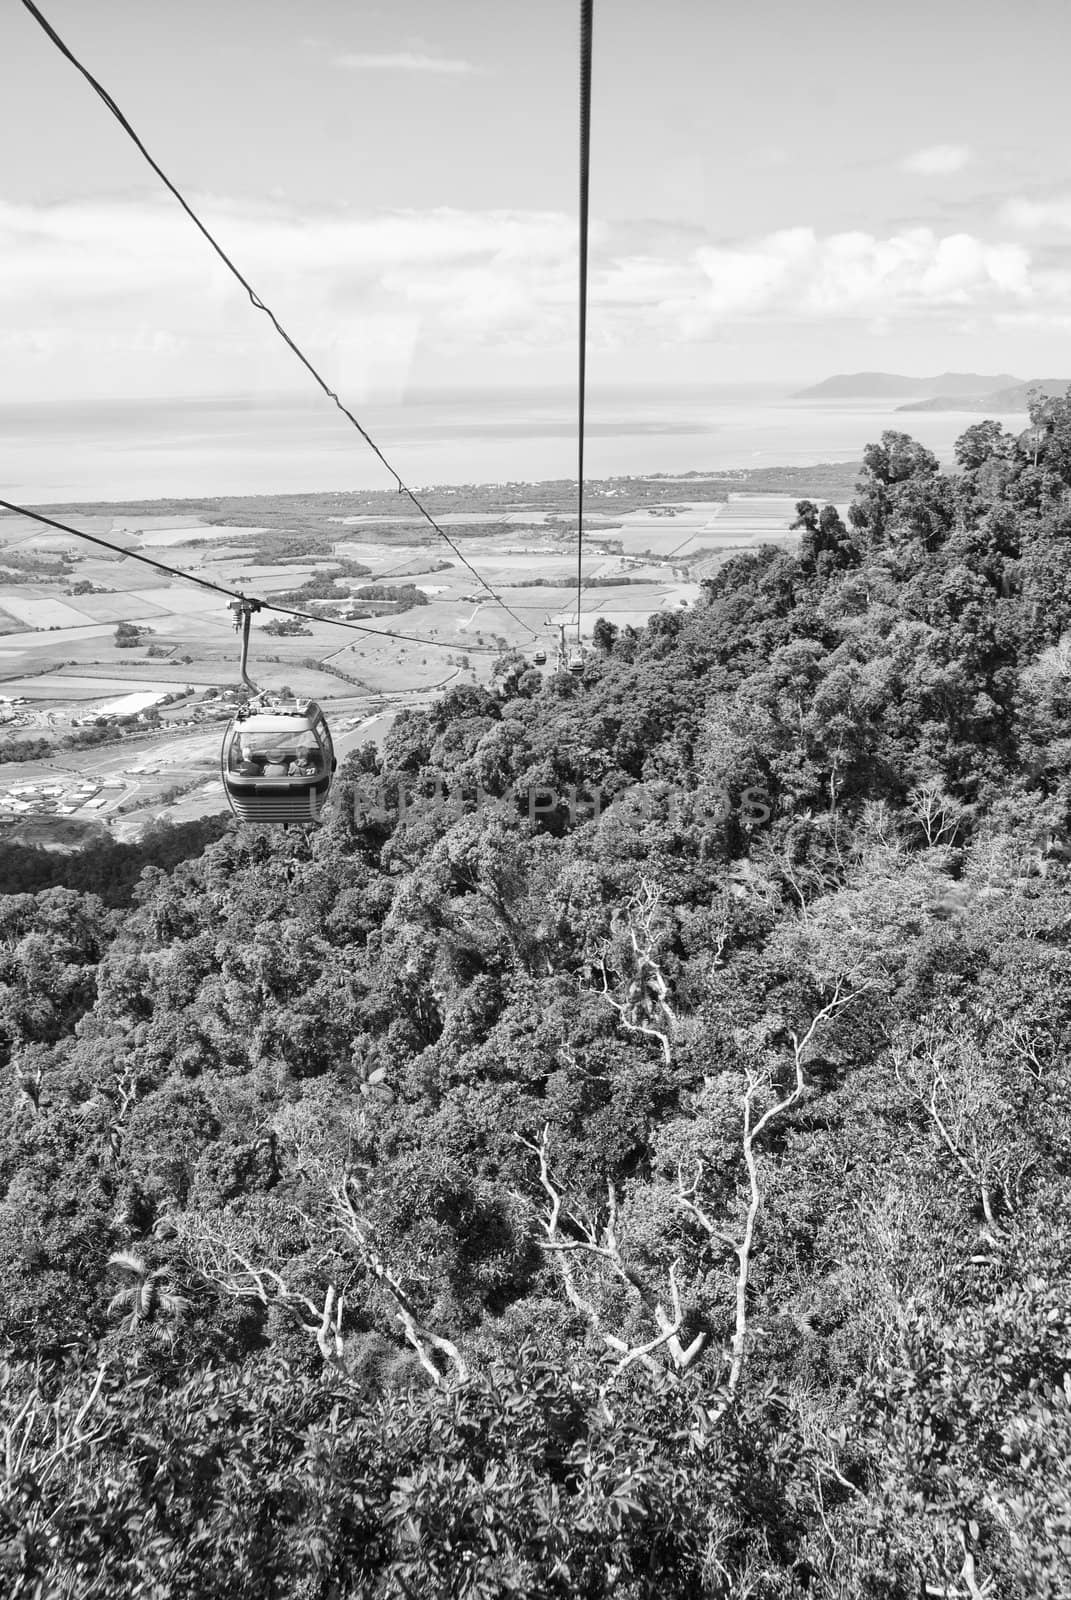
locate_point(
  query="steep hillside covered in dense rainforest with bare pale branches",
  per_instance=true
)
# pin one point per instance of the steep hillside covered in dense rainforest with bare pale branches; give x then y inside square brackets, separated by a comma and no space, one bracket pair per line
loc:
[486,1198]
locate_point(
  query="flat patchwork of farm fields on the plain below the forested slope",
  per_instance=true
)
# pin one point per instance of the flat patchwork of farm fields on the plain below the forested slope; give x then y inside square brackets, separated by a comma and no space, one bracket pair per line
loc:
[63,670]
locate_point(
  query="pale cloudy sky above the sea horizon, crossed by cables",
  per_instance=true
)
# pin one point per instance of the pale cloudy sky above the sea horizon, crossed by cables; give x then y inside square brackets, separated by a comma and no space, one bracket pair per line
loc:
[779,193]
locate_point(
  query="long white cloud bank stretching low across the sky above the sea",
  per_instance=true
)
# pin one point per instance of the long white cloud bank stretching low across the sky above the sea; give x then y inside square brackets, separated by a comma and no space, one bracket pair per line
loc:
[130,284]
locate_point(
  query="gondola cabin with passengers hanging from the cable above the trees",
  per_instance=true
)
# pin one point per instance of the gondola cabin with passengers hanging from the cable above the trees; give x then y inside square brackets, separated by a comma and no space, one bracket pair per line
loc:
[278,762]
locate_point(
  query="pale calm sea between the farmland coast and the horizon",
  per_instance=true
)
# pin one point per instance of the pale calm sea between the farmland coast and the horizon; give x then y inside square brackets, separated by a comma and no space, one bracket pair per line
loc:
[254,446]
